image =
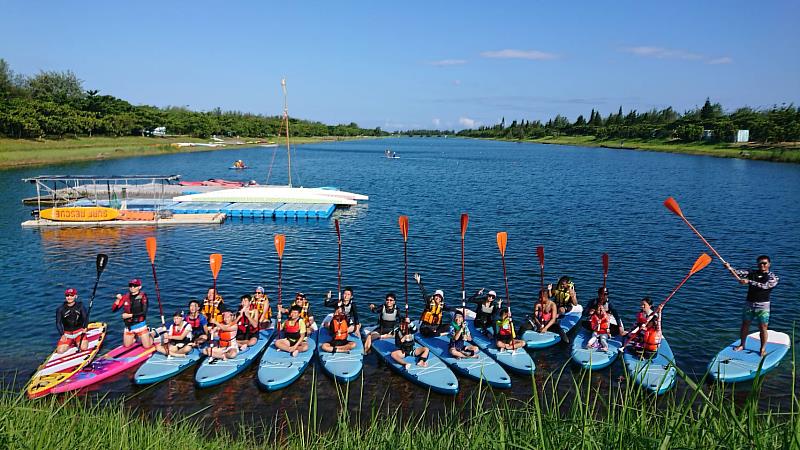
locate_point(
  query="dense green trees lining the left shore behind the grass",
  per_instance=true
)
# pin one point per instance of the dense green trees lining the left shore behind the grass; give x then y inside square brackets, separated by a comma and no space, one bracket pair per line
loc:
[55,104]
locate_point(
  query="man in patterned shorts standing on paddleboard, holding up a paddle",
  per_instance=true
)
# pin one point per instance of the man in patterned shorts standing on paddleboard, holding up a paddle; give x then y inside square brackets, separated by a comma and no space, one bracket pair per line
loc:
[760,282]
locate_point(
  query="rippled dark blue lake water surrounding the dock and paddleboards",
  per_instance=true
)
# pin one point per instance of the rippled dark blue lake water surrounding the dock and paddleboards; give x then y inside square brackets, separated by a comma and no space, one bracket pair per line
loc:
[576,202]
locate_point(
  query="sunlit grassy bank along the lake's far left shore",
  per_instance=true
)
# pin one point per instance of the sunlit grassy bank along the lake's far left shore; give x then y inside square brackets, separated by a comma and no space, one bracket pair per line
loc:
[30,152]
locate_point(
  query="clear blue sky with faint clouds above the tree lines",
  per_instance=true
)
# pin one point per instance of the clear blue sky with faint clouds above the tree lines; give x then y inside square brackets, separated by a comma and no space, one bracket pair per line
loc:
[402,65]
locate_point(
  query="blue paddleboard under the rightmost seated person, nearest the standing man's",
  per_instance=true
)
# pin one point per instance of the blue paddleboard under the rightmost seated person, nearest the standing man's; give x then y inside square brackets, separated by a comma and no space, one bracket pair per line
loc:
[656,373]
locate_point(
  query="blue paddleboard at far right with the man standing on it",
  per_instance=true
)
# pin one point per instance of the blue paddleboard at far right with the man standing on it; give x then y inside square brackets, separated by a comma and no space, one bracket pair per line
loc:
[730,366]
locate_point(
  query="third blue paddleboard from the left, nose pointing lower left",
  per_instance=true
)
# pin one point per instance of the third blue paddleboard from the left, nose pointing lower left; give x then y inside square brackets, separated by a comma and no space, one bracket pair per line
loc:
[279,369]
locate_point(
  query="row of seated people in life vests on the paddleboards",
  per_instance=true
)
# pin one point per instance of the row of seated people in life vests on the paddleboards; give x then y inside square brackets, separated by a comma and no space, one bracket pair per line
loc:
[223,332]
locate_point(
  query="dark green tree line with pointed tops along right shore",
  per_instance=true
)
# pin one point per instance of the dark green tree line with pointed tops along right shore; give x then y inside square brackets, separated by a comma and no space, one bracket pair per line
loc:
[776,124]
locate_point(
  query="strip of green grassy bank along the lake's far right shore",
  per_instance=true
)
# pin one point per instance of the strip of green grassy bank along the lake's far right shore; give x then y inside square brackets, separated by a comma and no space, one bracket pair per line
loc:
[778,153]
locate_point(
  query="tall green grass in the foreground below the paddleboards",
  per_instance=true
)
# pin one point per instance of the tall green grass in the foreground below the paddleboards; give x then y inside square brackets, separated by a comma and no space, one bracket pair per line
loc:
[585,417]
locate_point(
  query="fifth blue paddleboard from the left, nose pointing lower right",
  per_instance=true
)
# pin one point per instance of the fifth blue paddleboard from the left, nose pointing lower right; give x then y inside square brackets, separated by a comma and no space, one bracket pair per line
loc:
[436,376]
